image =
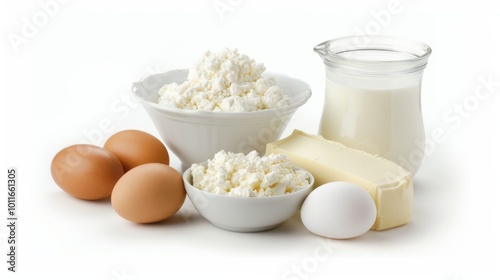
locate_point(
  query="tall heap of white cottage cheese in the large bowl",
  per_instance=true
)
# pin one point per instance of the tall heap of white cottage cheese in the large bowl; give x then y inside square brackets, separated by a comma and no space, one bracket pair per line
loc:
[225,81]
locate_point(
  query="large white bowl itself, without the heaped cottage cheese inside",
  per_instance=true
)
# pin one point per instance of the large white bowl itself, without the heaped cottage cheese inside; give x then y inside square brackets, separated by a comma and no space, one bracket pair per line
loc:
[196,136]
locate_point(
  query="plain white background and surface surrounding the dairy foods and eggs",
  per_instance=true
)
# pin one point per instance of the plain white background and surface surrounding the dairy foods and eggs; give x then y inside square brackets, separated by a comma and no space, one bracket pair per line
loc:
[74,68]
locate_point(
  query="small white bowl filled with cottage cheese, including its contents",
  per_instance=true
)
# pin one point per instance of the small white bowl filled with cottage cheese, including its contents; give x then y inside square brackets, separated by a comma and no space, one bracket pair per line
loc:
[247,193]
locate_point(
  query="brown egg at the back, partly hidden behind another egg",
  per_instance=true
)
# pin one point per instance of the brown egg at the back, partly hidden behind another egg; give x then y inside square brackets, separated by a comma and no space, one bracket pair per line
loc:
[135,147]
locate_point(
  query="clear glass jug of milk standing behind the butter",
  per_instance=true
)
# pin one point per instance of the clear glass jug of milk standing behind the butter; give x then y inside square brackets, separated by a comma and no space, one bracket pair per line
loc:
[372,96]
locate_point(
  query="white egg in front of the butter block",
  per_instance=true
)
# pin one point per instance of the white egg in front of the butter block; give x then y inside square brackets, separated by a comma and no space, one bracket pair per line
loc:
[338,210]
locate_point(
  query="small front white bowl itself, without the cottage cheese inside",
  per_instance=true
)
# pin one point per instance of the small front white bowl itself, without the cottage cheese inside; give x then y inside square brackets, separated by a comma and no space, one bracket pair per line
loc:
[246,214]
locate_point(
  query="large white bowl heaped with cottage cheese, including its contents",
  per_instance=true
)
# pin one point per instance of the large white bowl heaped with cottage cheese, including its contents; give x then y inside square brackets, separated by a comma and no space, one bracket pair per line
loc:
[226,101]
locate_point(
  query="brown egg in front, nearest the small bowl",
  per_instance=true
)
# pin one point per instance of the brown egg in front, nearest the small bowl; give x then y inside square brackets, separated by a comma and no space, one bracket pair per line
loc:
[148,193]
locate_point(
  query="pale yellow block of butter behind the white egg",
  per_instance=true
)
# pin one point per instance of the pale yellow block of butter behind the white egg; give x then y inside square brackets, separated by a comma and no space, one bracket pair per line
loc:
[390,185]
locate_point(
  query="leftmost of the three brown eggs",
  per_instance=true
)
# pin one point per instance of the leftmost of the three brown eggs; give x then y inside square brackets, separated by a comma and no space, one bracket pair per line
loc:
[86,171]
